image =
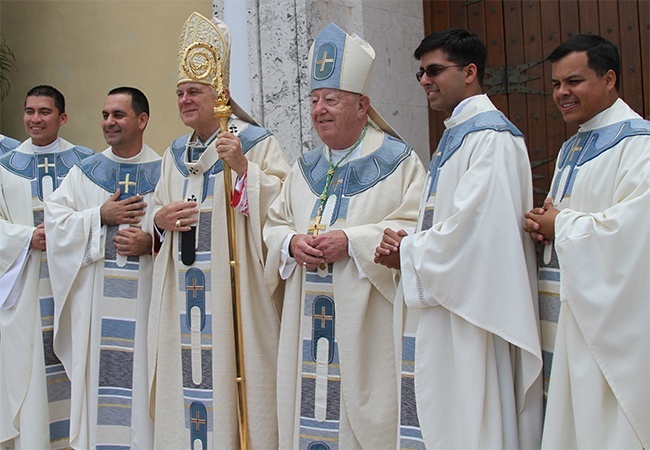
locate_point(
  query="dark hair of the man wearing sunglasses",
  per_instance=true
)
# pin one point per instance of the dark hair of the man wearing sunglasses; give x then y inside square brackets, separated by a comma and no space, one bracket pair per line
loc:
[461,47]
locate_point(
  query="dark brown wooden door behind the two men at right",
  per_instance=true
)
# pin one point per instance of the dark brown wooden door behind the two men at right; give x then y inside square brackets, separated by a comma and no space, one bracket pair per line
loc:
[519,34]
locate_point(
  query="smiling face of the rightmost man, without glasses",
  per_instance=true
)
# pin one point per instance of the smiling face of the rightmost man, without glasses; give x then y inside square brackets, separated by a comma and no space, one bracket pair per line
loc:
[578,91]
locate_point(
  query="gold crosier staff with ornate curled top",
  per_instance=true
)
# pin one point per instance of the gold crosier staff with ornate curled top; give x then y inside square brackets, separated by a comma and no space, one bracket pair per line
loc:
[222,112]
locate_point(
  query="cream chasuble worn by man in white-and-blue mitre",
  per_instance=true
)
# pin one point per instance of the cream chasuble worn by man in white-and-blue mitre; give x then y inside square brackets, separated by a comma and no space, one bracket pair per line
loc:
[336,366]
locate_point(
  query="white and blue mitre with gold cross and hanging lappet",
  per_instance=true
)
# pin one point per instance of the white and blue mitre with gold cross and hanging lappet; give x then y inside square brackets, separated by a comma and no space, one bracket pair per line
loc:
[340,61]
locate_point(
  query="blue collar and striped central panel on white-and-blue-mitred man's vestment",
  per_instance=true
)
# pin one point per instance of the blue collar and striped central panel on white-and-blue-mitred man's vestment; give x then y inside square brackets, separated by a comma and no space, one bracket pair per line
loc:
[320,385]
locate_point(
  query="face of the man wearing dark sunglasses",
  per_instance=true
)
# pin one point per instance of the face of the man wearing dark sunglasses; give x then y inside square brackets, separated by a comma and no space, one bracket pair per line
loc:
[450,86]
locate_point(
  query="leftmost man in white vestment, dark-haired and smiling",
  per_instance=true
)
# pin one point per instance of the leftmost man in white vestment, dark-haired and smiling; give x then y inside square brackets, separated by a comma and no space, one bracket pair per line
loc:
[34,388]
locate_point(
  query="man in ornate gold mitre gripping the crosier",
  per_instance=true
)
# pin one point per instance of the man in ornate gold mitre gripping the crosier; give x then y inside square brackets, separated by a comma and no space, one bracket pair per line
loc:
[194,392]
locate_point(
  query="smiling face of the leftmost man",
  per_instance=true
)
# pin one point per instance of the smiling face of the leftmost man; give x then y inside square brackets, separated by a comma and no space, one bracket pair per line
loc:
[42,119]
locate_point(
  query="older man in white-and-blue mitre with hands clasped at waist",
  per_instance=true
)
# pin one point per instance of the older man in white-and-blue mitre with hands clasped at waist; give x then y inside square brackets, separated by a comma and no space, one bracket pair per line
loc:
[336,365]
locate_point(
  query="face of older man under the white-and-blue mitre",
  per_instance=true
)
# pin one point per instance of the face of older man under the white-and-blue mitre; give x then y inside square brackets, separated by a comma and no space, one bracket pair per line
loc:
[338,116]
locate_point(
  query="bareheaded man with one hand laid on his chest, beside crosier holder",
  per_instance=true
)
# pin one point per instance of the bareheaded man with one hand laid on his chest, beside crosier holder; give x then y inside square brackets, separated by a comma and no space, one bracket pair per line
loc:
[97,223]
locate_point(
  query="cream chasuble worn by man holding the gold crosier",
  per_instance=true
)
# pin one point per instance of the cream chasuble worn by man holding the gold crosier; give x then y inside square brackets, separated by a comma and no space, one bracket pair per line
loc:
[192,377]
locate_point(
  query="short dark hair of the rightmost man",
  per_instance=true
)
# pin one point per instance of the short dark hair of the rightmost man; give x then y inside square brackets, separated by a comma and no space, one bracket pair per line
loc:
[602,55]
